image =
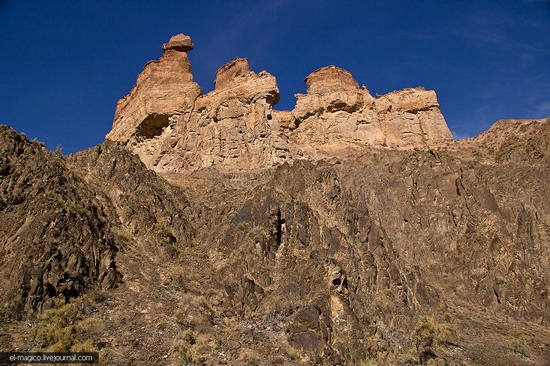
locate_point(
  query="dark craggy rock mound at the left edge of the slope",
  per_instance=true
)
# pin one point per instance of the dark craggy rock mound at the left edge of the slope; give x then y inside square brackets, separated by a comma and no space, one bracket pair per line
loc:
[55,237]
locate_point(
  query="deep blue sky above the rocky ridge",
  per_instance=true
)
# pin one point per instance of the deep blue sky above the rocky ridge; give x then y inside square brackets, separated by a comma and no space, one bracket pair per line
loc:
[64,64]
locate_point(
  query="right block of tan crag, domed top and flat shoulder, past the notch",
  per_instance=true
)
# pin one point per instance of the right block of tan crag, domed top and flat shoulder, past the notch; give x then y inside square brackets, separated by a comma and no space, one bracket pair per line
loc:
[336,111]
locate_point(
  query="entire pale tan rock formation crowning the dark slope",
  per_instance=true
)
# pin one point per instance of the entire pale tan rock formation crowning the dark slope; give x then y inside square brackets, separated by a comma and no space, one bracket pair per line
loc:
[172,127]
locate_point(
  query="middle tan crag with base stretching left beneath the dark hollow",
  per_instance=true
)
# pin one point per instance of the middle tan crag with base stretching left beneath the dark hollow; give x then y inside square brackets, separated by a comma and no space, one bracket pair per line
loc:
[231,126]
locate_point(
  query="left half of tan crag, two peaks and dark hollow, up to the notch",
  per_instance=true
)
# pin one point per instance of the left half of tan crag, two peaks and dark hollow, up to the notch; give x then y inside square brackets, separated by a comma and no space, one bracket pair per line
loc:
[172,127]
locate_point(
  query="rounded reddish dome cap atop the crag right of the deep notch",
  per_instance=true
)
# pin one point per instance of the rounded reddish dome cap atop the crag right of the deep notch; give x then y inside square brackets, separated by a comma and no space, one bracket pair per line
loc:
[330,78]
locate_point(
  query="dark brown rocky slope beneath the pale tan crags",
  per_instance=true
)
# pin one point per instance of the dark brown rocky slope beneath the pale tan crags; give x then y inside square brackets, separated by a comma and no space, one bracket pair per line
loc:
[394,256]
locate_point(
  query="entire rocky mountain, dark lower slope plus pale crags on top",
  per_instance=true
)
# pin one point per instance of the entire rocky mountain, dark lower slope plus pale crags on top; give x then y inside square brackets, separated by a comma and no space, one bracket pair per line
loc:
[212,229]
